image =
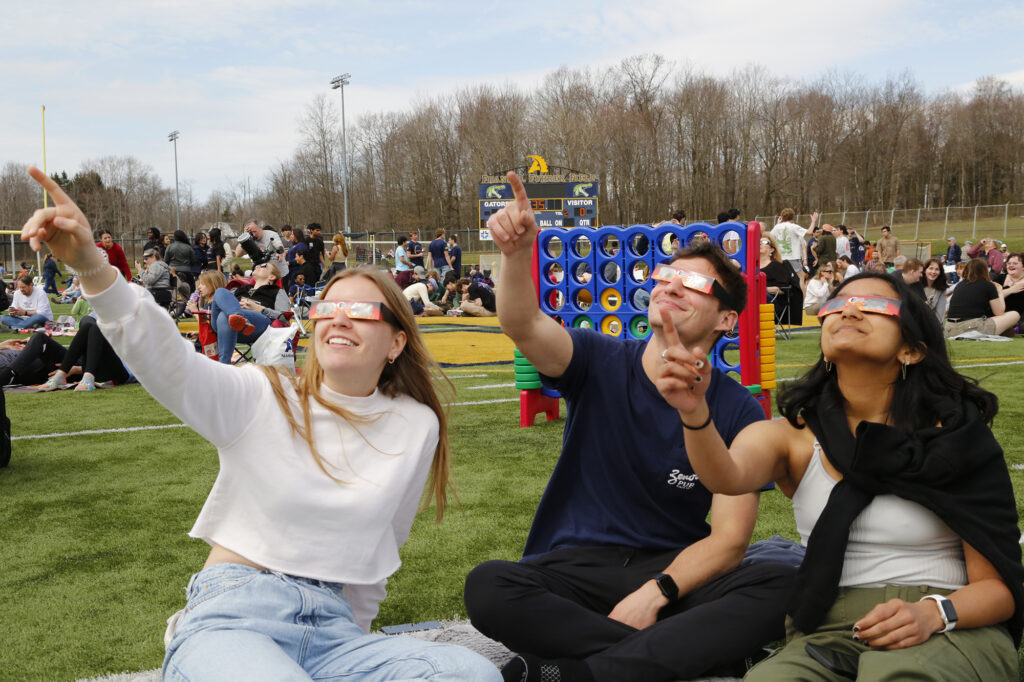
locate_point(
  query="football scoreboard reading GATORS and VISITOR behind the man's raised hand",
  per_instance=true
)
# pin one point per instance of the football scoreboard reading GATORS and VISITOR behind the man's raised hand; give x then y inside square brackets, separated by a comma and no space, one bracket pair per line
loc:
[559,204]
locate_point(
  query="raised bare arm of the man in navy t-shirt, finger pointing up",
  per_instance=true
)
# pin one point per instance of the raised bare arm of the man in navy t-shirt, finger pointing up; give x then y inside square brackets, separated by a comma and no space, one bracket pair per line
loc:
[545,344]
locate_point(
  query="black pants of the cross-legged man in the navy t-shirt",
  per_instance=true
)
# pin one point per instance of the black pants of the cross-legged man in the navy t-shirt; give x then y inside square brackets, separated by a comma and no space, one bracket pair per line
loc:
[557,607]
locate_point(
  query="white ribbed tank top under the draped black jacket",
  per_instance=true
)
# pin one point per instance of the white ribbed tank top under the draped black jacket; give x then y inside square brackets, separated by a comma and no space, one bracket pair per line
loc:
[892,542]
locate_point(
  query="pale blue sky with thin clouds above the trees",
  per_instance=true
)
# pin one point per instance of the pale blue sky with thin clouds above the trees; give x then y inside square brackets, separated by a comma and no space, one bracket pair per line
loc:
[236,77]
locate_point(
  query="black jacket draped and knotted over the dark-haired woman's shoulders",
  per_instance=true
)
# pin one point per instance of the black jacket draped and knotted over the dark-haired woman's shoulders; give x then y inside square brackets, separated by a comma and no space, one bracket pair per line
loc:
[956,471]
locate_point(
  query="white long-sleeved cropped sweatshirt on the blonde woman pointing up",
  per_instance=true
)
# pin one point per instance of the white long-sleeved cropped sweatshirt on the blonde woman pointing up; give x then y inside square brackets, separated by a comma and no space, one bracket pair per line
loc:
[271,502]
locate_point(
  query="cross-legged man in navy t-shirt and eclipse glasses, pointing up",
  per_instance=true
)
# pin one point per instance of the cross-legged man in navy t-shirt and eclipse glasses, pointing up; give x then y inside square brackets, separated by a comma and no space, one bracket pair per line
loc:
[622,577]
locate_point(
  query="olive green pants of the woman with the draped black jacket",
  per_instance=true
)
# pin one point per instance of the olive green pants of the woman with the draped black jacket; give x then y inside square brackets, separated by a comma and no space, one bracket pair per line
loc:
[979,654]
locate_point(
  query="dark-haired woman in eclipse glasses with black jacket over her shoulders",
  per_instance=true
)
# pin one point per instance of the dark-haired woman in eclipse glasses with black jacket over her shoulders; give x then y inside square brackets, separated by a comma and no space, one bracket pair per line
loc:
[900,491]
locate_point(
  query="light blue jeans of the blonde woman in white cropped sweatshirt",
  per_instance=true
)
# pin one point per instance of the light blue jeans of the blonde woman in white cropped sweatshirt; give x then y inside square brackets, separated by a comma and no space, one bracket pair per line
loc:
[244,624]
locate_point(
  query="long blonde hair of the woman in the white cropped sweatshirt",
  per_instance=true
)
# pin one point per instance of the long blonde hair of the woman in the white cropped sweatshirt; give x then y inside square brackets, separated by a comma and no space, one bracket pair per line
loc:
[412,374]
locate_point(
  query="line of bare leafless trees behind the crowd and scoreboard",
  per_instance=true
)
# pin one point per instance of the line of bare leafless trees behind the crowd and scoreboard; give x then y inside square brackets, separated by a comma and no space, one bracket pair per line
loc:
[658,137]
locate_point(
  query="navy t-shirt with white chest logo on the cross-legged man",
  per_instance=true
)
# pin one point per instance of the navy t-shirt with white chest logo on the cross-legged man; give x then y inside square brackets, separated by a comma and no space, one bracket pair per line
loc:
[623,478]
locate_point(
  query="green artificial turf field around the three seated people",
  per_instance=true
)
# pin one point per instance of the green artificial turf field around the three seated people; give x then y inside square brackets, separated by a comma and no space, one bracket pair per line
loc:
[94,547]
